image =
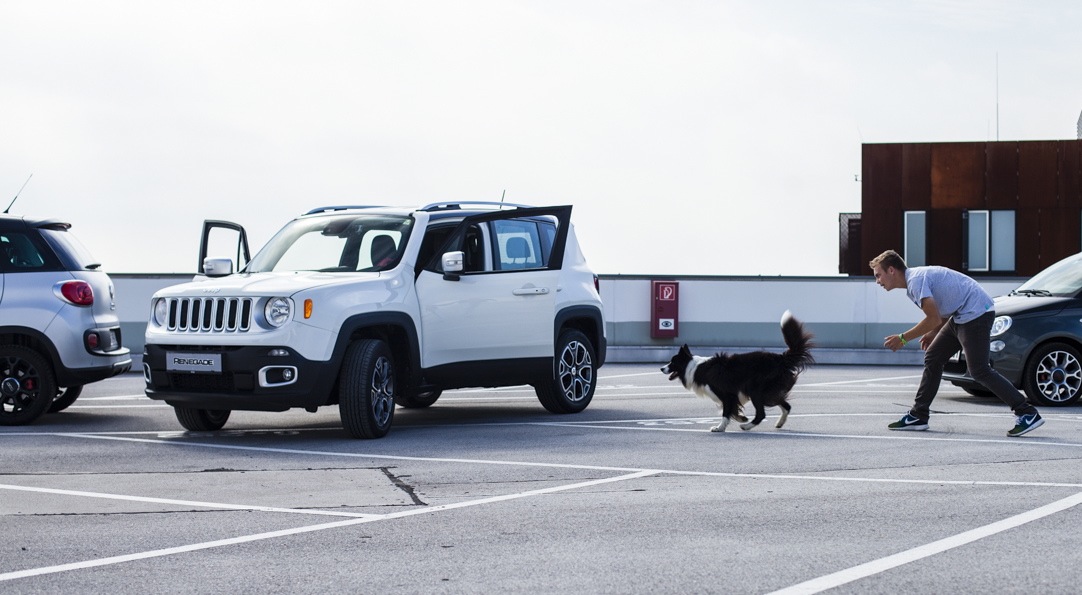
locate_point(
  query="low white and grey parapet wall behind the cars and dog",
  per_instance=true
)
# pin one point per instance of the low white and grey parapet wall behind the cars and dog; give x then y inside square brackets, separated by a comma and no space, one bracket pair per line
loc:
[850,316]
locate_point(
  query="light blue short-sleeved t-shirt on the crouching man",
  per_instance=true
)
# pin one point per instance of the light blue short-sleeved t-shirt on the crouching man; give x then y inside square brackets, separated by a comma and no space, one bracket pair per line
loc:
[956,295]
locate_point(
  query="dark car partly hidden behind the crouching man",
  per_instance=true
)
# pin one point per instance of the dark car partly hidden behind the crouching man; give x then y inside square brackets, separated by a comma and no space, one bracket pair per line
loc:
[1037,338]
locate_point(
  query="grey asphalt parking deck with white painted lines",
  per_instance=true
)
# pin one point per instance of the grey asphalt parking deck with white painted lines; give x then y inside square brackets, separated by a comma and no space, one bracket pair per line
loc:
[487,493]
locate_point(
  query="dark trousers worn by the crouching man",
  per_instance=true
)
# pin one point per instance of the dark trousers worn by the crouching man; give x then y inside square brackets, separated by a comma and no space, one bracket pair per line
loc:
[973,339]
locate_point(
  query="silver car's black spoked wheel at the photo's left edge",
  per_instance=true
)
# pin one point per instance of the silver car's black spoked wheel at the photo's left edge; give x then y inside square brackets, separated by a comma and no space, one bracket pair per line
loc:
[28,387]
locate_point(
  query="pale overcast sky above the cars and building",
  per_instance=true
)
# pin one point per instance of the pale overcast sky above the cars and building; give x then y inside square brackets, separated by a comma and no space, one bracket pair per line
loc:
[693,138]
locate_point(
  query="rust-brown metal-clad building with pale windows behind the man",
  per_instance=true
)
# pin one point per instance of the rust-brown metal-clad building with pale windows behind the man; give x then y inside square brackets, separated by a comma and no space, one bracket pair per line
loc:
[985,208]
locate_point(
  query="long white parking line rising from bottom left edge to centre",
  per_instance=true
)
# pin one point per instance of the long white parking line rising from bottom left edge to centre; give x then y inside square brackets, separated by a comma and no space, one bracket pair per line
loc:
[323,527]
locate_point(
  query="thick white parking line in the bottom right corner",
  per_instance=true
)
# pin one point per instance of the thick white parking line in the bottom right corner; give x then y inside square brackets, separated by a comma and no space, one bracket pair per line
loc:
[882,565]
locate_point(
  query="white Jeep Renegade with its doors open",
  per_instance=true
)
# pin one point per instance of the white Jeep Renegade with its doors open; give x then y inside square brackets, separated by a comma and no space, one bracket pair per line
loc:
[368,308]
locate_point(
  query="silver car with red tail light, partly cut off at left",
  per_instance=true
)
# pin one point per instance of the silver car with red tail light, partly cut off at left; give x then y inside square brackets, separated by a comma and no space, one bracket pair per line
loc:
[59,325]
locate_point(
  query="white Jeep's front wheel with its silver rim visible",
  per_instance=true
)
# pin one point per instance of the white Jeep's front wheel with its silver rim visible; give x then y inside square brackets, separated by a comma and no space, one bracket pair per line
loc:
[367,390]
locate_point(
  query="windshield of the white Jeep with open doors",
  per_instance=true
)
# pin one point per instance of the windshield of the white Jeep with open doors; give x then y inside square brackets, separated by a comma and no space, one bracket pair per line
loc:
[336,244]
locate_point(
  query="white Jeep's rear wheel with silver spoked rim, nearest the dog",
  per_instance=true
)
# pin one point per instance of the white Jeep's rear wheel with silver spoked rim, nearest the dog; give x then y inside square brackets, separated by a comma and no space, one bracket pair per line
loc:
[574,380]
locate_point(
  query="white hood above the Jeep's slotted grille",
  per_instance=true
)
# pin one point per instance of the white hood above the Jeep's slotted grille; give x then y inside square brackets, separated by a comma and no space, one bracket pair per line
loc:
[262,284]
